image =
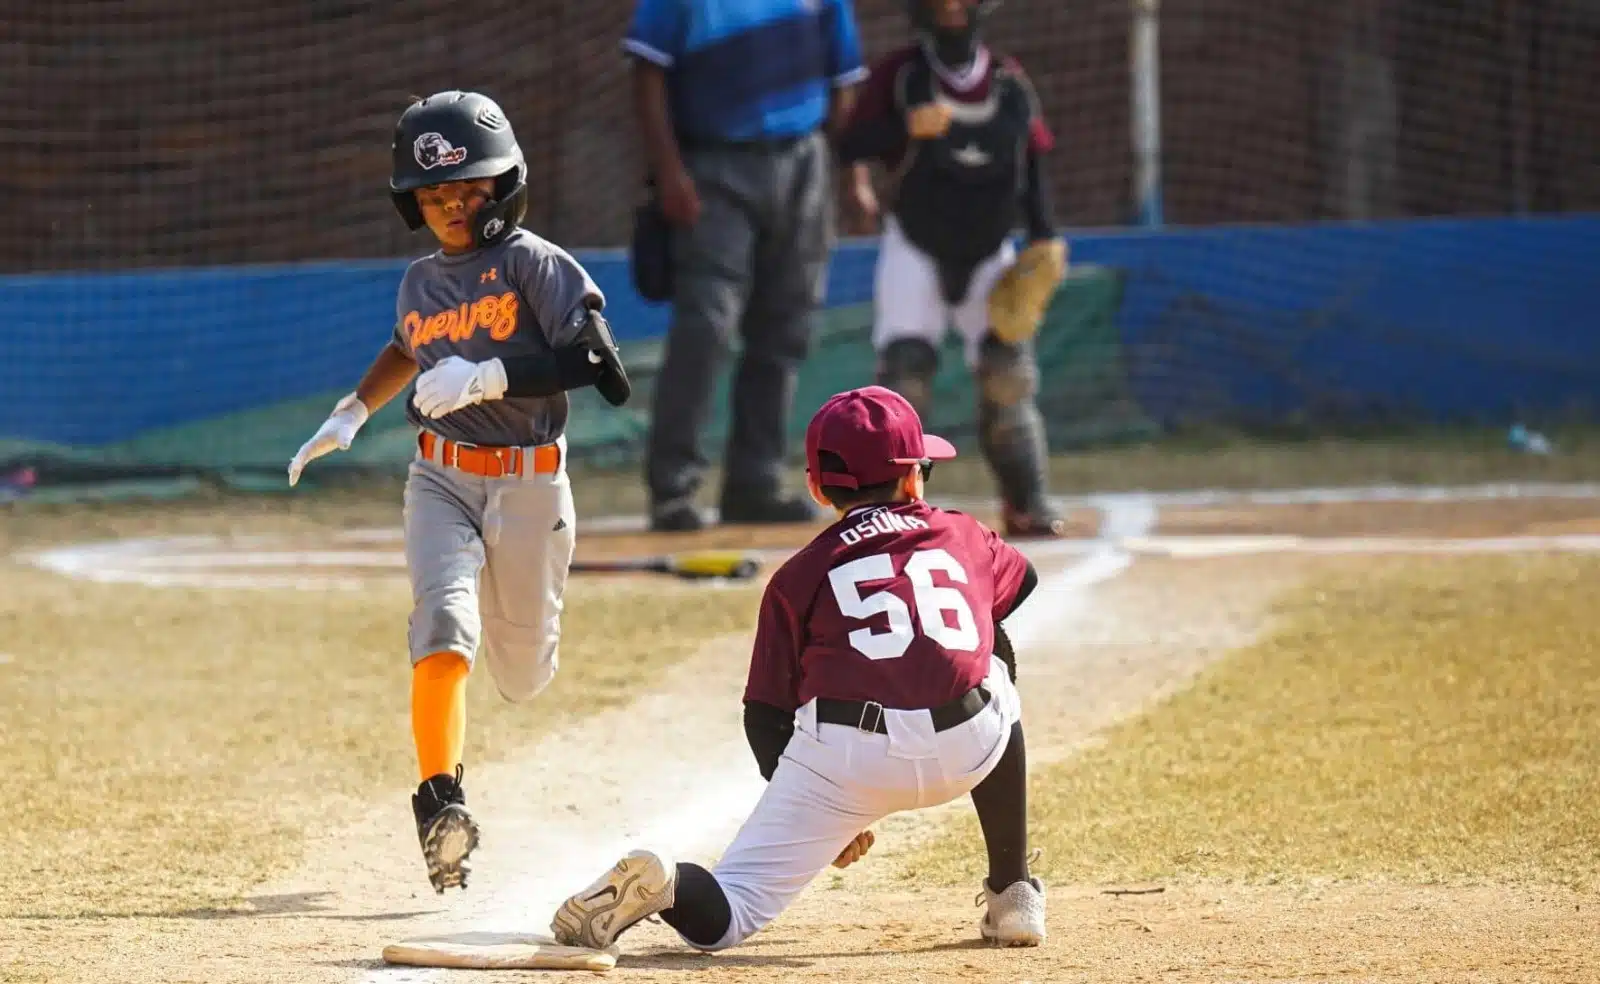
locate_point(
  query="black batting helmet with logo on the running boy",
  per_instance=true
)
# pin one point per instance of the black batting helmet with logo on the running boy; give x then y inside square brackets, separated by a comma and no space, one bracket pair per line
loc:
[460,137]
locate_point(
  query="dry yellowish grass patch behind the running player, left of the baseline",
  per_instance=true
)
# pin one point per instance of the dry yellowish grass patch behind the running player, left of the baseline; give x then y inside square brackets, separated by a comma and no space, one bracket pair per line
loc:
[166,750]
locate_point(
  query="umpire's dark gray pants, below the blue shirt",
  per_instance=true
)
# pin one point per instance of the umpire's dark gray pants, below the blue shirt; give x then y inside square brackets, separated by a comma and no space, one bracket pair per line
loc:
[753,265]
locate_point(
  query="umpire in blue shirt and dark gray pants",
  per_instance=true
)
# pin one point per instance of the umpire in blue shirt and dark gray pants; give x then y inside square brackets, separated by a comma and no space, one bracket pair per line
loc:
[735,100]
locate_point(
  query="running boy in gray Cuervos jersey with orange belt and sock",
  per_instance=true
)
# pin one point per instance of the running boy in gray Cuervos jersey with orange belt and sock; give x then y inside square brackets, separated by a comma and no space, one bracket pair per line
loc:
[500,324]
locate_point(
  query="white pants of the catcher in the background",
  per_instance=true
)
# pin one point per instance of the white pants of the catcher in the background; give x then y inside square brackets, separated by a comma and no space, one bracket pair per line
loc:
[910,303]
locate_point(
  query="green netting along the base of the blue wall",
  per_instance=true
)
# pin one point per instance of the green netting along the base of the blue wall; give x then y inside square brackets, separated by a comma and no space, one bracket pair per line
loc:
[1082,394]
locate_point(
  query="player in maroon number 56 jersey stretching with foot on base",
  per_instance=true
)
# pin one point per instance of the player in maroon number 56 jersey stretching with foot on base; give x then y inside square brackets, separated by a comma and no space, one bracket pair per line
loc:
[879,684]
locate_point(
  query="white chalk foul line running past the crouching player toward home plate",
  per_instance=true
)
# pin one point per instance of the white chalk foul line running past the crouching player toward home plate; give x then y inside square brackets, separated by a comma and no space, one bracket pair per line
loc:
[697,802]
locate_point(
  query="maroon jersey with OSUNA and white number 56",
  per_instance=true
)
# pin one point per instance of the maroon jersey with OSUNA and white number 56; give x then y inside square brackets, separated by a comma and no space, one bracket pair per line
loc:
[892,604]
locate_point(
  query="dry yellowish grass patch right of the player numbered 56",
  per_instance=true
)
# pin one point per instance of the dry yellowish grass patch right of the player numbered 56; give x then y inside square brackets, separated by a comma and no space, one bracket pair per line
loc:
[1425,722]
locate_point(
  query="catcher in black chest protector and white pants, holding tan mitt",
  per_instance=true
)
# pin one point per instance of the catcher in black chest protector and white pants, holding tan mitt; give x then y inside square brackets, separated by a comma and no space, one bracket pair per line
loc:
[962,134]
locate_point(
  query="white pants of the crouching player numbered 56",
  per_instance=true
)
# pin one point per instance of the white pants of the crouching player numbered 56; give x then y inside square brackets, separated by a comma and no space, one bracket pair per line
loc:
[834,782]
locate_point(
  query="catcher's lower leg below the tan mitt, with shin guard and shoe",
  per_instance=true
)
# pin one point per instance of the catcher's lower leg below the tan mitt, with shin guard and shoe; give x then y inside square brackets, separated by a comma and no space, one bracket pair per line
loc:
[1012,436]
